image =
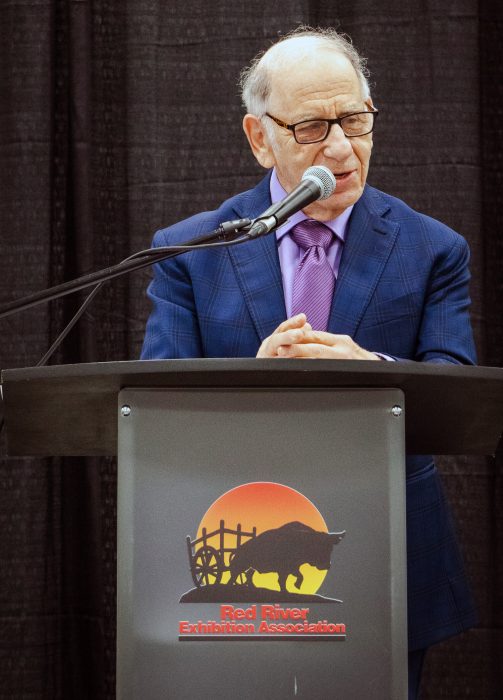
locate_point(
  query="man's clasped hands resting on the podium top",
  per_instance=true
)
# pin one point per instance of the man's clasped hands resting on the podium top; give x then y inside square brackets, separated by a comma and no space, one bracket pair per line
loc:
[295,338]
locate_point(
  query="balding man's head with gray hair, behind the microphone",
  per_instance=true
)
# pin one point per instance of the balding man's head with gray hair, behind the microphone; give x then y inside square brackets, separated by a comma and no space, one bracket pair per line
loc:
[309,75]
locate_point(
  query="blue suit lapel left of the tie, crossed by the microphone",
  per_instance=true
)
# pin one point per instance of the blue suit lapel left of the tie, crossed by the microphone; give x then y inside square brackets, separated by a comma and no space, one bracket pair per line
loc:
[257,268]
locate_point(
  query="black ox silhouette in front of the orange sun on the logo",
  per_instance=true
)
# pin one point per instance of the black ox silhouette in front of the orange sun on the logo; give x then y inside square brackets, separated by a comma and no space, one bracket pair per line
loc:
[283,550]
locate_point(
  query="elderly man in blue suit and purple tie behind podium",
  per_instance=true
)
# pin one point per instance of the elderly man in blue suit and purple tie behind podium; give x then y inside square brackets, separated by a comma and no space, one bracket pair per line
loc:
[358,275]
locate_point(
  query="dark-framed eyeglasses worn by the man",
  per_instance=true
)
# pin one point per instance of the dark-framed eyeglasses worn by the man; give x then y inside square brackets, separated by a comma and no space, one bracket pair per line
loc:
[314,130]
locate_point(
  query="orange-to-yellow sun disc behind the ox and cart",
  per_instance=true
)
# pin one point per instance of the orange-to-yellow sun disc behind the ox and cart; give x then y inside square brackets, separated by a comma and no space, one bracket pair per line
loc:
[251,509]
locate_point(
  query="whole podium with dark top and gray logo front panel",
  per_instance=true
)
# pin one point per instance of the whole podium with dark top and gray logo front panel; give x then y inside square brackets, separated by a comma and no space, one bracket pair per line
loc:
[261,510]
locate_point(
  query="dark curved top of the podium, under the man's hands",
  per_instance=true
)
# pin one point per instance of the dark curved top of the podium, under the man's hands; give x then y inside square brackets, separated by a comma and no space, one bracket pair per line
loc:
[72,409]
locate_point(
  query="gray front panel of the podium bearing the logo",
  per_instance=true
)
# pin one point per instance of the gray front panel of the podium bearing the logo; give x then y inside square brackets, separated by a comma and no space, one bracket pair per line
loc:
[231,505]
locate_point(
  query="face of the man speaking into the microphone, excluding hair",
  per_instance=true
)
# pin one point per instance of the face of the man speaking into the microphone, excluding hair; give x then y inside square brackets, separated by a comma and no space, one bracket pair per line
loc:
[323,86]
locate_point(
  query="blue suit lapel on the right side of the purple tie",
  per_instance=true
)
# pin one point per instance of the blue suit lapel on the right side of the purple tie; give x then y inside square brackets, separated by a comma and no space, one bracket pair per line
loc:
[369,242]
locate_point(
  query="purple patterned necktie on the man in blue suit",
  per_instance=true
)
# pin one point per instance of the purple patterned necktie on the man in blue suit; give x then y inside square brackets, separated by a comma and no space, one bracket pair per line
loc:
[314,280]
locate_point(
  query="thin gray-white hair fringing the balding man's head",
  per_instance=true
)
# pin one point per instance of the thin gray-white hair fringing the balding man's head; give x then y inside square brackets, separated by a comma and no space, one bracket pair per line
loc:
[255,79]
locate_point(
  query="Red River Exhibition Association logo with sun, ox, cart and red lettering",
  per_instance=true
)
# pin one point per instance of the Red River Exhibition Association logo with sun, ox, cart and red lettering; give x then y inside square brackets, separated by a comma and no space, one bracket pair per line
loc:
[258,547]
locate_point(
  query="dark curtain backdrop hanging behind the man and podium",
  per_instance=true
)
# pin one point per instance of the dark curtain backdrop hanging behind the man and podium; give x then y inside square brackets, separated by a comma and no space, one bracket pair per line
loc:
[117,118]
